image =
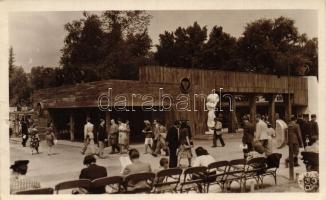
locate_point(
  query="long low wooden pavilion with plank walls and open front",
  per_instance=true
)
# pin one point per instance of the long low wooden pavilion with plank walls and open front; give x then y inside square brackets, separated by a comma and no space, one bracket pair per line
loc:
[68,106]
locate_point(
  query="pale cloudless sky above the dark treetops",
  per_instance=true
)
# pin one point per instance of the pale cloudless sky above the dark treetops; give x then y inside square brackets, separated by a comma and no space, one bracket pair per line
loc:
[37,37]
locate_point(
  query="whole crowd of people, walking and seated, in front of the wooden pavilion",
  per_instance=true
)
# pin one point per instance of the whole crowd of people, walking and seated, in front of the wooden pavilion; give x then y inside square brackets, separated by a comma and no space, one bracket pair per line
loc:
[175,142]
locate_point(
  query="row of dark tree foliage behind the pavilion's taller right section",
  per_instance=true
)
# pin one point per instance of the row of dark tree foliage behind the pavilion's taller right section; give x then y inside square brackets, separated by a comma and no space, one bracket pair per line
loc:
[266,46]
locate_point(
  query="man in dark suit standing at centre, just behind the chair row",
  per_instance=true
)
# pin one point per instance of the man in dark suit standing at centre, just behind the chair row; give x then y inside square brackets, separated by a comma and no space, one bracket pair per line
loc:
[172,139]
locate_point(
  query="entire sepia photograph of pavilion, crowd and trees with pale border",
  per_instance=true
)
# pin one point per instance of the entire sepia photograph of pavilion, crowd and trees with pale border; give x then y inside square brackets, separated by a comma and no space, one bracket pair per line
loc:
[163,101]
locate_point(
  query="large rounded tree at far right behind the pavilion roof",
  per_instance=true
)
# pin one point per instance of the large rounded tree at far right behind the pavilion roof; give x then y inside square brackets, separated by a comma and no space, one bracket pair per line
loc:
[275,47]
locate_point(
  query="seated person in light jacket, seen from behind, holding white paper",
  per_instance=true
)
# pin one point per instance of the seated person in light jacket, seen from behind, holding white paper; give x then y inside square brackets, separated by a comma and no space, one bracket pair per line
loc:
[135,167]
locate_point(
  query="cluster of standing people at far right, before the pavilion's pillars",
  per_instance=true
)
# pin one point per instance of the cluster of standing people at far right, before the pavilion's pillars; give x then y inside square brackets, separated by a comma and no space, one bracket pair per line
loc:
[299,132]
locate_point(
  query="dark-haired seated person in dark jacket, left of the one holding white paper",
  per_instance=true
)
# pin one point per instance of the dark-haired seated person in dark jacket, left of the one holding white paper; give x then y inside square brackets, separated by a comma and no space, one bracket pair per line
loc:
[92,172]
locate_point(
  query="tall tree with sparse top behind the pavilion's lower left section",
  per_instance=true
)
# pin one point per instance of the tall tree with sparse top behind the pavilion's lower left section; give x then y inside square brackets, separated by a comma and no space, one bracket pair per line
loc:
[113,45]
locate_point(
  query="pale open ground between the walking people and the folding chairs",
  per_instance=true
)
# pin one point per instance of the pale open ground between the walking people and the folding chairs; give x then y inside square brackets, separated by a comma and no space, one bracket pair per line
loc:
[67,162]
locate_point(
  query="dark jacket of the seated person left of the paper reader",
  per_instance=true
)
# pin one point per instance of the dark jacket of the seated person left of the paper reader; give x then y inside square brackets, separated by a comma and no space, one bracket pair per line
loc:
[93,172]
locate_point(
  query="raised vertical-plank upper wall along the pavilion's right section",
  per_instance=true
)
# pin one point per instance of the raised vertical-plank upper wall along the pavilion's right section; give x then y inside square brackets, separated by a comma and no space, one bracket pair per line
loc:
[238,82]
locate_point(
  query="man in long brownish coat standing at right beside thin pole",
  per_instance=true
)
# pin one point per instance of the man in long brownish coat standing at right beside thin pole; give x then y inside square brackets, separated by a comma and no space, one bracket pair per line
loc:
[294,137]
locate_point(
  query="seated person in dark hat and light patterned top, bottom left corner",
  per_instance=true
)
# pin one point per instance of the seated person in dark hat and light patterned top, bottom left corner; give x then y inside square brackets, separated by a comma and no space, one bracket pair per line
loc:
[18,180]
